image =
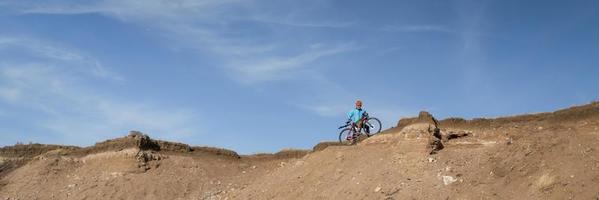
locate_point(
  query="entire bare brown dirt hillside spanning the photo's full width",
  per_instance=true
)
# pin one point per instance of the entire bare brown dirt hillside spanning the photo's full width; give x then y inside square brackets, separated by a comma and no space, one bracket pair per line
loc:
[536,156]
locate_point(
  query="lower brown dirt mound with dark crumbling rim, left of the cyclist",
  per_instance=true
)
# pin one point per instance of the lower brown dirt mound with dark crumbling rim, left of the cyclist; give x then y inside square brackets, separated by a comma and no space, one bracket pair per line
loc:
[134,167]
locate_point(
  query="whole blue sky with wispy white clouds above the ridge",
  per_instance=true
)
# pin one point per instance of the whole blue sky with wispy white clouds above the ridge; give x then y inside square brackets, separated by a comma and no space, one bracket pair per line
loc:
[259,76]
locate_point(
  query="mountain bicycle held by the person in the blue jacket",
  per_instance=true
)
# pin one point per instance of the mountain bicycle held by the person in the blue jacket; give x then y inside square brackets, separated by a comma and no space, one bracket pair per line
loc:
[350,135]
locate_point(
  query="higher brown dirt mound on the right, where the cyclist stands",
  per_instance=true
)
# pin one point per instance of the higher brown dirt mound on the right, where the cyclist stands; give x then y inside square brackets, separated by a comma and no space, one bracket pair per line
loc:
[540,156]
